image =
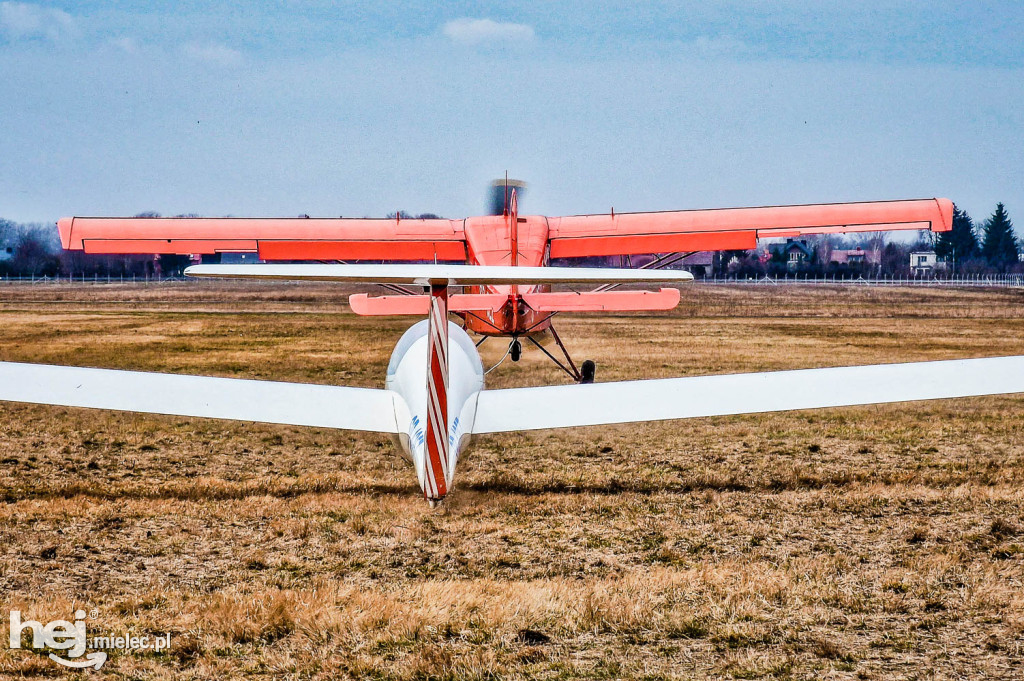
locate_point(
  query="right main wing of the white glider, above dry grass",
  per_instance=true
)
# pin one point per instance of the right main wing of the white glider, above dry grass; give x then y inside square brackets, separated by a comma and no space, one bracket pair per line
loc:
[567,406]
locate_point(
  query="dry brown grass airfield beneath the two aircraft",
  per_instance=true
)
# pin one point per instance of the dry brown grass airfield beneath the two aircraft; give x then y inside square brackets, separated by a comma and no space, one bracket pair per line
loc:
[861,543]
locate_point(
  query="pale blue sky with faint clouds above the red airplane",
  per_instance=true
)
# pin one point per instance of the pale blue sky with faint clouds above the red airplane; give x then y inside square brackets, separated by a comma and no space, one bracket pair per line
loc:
[327,109]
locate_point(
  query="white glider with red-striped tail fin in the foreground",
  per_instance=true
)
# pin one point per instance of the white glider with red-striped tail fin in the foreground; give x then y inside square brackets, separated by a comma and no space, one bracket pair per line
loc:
[435,400]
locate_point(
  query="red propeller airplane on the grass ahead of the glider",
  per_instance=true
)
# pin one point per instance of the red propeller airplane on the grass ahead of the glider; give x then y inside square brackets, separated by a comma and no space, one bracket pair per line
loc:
[506,239]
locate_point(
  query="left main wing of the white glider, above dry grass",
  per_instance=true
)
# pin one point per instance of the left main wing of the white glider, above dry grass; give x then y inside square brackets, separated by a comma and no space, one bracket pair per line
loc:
[240,400]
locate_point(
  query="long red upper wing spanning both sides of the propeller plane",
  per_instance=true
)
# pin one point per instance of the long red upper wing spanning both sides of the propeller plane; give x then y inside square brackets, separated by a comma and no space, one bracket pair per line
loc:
[412,240]
